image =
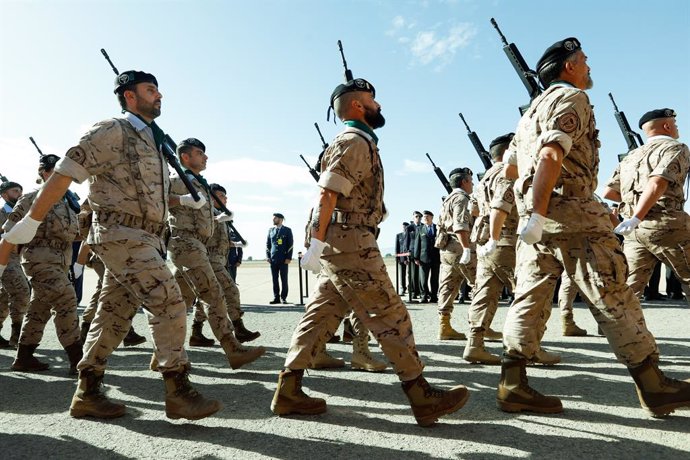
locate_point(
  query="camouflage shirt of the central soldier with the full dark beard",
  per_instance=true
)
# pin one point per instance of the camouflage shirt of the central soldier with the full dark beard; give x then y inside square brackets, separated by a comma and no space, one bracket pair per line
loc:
[351,167]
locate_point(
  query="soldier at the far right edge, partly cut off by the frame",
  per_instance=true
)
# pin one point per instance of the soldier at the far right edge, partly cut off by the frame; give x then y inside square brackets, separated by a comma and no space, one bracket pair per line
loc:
[649,184]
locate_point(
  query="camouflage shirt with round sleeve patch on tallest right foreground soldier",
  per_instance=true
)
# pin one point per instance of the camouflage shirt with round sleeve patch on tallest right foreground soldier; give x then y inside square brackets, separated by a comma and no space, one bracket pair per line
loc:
[562,114]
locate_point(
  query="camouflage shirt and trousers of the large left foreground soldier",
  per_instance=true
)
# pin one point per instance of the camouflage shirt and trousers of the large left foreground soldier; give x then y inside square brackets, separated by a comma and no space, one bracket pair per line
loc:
[128,192]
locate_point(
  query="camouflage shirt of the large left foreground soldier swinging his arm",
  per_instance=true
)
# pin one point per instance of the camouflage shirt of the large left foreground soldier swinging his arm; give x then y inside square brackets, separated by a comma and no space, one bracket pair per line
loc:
[128,180]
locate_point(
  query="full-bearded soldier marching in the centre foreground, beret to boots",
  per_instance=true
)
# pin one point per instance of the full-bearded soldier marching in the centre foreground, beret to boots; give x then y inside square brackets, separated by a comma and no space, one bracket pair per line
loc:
[343,241]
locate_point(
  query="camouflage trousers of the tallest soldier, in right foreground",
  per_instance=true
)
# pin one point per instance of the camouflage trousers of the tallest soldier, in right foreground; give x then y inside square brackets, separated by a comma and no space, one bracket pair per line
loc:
[598,268]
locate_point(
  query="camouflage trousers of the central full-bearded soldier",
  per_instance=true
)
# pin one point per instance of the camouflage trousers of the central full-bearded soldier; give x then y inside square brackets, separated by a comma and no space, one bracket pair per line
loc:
[357,281]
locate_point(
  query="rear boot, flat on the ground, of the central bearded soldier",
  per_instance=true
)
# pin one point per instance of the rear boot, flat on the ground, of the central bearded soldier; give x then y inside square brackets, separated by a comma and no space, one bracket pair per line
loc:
[290,399]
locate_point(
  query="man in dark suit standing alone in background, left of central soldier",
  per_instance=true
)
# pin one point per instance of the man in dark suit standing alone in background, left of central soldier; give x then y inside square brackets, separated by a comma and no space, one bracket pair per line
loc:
[279,255]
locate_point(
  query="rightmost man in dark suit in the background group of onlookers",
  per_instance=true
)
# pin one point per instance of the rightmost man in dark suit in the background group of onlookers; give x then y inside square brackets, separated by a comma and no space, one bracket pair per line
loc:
[428,257]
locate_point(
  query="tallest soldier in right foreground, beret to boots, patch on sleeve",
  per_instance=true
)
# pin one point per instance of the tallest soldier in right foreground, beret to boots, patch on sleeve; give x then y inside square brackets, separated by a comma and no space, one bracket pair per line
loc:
[565,228]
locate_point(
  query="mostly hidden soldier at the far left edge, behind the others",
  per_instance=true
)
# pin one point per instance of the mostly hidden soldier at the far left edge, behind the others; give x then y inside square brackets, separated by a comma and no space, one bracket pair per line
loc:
[14,287]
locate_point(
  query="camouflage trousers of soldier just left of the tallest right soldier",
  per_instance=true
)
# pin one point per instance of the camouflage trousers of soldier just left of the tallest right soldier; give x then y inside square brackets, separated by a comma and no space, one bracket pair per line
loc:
[493,272]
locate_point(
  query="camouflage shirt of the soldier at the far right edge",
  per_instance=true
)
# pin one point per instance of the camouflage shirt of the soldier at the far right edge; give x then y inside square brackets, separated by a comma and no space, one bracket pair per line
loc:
[661,156]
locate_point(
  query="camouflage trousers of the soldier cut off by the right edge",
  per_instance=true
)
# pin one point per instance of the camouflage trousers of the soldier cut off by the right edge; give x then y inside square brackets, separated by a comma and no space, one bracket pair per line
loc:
[644,247]
